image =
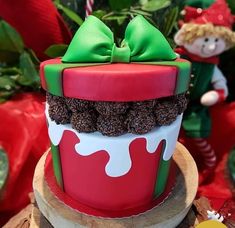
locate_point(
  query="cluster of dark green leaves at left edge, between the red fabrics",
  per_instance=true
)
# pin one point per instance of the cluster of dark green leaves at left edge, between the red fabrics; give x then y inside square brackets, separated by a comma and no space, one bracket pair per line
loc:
[18,65]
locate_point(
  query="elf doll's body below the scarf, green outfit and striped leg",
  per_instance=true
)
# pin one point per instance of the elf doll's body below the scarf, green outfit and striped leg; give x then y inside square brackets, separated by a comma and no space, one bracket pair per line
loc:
[197,120]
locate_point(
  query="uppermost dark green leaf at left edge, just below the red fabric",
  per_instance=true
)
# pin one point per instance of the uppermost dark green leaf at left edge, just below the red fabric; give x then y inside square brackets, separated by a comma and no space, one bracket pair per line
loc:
[10,40]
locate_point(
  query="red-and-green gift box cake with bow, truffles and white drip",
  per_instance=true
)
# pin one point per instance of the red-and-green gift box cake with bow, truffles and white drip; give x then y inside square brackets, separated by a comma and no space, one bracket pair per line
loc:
[114,115]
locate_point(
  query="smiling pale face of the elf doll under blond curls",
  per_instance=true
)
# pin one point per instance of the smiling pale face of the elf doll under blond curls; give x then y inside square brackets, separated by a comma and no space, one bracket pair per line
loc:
[206,46]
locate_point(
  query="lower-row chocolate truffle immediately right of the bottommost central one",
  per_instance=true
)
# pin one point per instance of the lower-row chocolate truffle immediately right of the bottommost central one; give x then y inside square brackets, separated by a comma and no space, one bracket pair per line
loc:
[140,122]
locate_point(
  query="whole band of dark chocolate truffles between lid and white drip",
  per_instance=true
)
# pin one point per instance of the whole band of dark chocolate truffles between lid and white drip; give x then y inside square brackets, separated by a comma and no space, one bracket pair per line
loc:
[116,118]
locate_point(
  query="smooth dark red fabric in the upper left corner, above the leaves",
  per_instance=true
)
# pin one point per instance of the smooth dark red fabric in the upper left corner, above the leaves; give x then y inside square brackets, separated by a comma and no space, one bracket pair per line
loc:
[38,22]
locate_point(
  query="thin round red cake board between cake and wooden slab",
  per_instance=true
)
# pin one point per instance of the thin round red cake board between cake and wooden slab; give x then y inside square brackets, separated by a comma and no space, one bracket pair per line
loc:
[100,212]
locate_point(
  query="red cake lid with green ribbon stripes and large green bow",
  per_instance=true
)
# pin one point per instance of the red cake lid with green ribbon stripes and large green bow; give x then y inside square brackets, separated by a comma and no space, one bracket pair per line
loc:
[93,45]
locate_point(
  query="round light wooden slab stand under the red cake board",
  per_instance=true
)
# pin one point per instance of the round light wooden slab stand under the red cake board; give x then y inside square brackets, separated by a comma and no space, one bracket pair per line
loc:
[168,214]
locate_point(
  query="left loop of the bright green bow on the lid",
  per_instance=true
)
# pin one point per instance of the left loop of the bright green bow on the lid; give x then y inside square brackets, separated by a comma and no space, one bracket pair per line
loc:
[92,42]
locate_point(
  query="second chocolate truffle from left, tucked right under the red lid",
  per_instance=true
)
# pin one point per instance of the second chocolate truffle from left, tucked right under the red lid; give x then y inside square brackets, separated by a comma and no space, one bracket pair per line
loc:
[77,105]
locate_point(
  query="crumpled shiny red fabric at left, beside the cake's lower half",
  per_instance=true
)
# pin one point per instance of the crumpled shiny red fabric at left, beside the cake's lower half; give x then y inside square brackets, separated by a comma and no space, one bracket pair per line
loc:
[23,135]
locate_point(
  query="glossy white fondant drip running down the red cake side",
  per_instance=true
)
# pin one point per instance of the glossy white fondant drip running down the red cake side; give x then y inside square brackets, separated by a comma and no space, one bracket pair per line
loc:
[117,147]
